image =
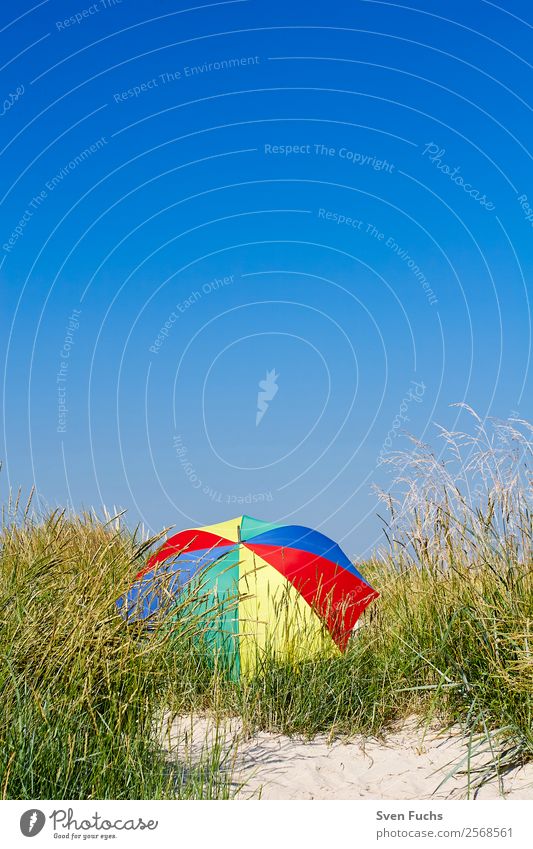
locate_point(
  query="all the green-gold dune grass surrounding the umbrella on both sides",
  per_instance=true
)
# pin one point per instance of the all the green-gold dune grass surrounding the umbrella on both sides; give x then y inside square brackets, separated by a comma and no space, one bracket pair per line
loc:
[450,639]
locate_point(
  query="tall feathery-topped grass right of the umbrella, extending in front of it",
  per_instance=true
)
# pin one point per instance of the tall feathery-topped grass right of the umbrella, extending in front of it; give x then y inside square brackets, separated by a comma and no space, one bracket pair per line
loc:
[450,638]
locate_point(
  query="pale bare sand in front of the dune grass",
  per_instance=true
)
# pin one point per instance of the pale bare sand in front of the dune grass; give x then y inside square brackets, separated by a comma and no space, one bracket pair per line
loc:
[409,763]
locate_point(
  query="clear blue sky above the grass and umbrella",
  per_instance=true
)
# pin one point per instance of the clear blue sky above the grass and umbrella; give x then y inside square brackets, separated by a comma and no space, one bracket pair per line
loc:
[194,196]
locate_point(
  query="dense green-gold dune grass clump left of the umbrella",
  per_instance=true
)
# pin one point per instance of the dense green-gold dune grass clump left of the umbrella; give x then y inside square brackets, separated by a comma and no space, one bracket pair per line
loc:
[78,686]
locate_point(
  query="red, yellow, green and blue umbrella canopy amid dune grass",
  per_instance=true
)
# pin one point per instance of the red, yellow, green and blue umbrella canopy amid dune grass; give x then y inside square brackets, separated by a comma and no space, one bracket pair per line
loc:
[271,585]
